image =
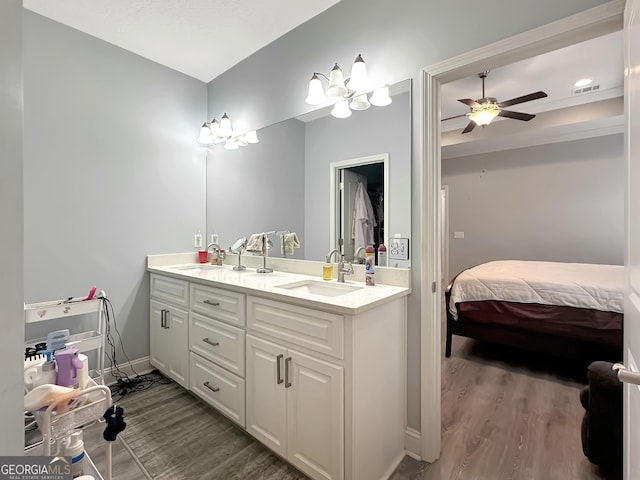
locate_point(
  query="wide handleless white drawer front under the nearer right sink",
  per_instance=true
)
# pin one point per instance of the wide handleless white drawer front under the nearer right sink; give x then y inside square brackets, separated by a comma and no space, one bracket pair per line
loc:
[315,330]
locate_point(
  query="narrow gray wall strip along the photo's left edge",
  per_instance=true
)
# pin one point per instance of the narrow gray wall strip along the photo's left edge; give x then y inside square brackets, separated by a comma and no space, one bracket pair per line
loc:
[11,250]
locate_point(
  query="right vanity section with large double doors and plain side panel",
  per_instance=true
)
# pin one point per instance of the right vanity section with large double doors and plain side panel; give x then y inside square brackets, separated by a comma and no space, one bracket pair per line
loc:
[326,391]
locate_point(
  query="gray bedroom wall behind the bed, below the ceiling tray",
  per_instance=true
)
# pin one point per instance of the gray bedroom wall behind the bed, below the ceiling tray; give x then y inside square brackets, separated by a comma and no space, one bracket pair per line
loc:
[558,202]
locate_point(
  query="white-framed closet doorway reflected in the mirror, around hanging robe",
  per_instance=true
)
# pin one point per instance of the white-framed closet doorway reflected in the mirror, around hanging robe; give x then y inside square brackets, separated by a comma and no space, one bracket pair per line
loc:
[372,173]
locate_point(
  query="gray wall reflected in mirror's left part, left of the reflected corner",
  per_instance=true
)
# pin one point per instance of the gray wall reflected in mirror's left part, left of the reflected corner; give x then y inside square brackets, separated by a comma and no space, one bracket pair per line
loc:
[258,187]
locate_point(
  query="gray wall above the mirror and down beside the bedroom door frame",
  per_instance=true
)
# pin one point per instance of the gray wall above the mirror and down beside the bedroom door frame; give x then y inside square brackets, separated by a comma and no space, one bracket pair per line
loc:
[396,40]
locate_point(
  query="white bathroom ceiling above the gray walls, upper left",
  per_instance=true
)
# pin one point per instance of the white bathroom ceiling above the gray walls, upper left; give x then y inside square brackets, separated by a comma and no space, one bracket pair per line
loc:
[201,38]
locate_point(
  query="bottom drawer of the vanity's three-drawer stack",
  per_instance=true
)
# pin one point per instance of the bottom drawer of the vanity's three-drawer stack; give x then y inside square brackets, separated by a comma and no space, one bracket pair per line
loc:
[219,388]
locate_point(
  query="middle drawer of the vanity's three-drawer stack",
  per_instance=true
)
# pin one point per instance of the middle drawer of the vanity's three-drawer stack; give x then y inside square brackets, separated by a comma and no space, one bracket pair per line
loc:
[218,342]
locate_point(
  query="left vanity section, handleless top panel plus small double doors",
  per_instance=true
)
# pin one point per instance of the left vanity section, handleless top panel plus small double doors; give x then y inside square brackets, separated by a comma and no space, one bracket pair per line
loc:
[168,328]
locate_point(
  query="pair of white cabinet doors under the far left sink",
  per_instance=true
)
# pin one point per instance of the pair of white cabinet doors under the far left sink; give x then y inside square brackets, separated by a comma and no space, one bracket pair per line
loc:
[169,341]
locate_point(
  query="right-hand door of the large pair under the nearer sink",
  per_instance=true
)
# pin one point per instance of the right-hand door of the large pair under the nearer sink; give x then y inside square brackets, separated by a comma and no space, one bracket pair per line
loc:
[315,416]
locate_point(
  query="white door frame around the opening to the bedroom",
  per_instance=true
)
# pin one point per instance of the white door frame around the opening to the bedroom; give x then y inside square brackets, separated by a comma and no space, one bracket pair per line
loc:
[597,21]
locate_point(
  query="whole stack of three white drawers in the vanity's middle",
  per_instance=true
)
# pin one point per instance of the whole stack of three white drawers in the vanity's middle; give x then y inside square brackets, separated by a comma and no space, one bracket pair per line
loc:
[217,349]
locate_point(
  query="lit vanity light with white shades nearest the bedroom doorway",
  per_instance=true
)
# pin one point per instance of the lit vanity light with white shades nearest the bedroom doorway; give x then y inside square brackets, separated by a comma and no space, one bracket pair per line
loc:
[351,94]
